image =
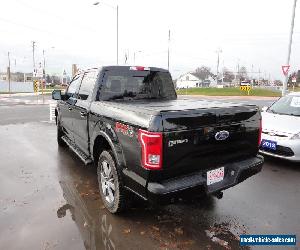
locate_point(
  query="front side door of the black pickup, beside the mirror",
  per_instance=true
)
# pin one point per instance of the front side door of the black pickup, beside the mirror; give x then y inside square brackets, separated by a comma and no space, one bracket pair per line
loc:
[66,107]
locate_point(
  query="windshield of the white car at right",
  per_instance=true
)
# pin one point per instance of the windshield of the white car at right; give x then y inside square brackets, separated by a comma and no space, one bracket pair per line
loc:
[287,105]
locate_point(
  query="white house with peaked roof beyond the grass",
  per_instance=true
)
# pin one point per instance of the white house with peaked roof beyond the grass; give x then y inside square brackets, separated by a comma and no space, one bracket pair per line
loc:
[189,80]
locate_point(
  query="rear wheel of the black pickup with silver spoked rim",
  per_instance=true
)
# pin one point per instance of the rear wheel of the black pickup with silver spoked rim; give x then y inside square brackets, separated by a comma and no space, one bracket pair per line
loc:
[111,187]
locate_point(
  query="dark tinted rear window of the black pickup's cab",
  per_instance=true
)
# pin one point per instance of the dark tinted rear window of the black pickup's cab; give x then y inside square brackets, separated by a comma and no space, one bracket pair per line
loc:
[132,84]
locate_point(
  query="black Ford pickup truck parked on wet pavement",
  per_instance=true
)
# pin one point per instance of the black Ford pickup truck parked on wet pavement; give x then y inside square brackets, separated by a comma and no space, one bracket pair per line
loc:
[145,141]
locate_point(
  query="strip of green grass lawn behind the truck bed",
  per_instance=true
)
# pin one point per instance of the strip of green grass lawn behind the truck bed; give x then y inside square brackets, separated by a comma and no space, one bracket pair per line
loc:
[228,92]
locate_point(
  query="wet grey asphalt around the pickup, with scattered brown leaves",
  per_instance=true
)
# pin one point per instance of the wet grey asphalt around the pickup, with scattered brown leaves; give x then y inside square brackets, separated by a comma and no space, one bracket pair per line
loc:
[50,200]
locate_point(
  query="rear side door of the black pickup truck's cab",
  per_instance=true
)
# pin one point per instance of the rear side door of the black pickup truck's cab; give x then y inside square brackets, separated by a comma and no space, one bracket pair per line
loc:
[81,110]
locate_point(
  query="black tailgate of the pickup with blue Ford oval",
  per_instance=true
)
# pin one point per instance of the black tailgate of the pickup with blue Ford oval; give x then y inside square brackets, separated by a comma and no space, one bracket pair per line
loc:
[192,140]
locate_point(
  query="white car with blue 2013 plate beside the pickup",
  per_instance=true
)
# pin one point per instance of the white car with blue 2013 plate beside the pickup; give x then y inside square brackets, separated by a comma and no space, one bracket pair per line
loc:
[281,128]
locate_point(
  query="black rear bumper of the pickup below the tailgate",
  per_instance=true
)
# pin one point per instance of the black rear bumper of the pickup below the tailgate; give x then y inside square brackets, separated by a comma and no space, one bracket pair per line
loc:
[235,173]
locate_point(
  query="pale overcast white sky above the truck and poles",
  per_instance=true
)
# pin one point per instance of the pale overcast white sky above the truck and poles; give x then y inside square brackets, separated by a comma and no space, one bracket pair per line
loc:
[249,32]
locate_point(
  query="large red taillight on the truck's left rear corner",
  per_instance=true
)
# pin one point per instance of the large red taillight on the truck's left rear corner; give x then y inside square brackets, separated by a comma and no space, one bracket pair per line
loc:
[151,143]
